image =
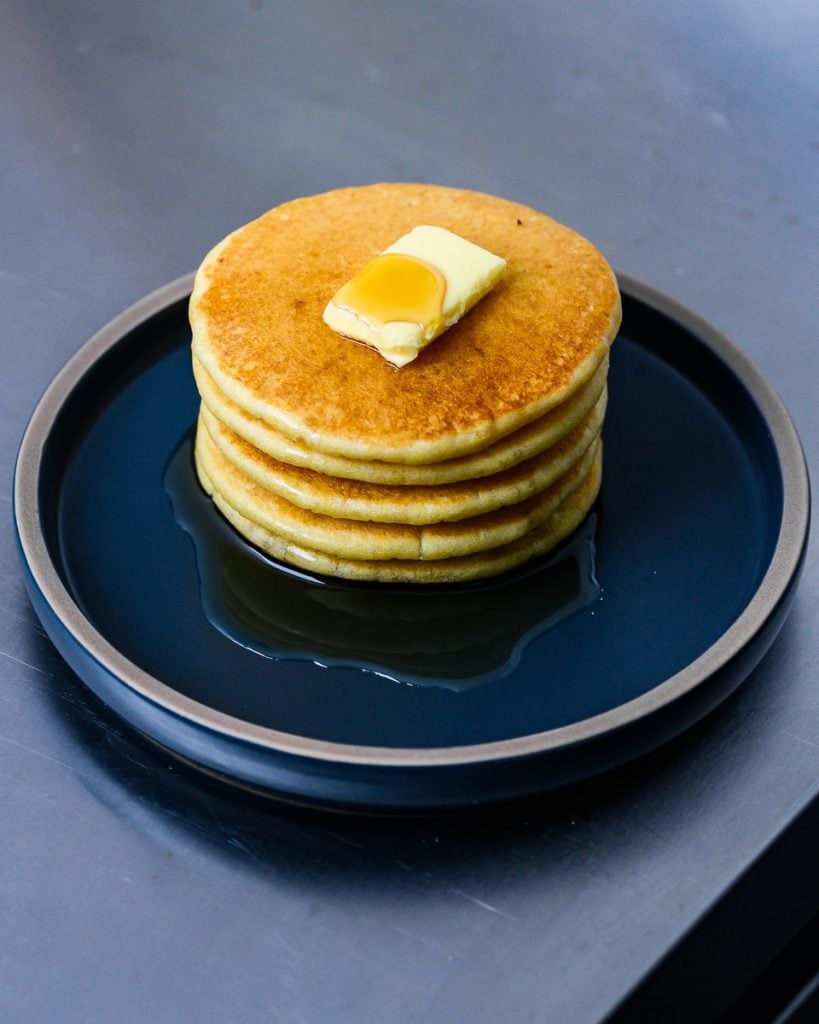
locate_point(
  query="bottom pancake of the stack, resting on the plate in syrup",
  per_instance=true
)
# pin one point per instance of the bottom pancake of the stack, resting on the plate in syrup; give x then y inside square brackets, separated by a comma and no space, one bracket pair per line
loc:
[566,519]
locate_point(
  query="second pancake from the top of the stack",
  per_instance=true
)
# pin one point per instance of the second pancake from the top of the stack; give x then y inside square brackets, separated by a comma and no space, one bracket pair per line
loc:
[515,448]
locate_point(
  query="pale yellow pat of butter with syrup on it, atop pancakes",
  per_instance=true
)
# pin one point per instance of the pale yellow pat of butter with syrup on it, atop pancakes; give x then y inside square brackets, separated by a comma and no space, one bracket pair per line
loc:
[413,292]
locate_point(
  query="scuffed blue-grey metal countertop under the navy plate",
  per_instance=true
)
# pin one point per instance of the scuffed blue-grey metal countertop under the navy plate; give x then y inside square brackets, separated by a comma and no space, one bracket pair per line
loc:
[684,141]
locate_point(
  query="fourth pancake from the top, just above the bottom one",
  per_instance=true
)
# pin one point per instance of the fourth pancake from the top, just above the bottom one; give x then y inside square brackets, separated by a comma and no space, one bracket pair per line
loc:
[348,539]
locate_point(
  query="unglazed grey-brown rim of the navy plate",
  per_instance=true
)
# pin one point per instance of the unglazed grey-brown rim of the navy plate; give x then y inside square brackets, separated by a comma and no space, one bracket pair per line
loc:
[771,591]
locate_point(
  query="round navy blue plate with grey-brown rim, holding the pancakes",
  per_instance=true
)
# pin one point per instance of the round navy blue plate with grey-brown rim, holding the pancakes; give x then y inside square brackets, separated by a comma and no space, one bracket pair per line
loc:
[694,552]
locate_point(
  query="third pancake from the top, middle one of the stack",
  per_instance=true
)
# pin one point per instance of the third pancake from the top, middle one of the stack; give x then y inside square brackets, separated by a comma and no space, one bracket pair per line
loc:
[413,504]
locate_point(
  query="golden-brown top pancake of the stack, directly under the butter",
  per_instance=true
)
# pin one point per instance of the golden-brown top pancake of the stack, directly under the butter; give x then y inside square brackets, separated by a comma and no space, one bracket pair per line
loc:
[257,328]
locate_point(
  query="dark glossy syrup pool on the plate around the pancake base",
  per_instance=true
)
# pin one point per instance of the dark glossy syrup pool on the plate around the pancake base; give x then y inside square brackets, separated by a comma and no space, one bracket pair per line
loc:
[455,636]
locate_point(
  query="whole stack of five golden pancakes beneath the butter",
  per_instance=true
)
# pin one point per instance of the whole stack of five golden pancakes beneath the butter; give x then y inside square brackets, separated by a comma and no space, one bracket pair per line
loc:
[482,454]
